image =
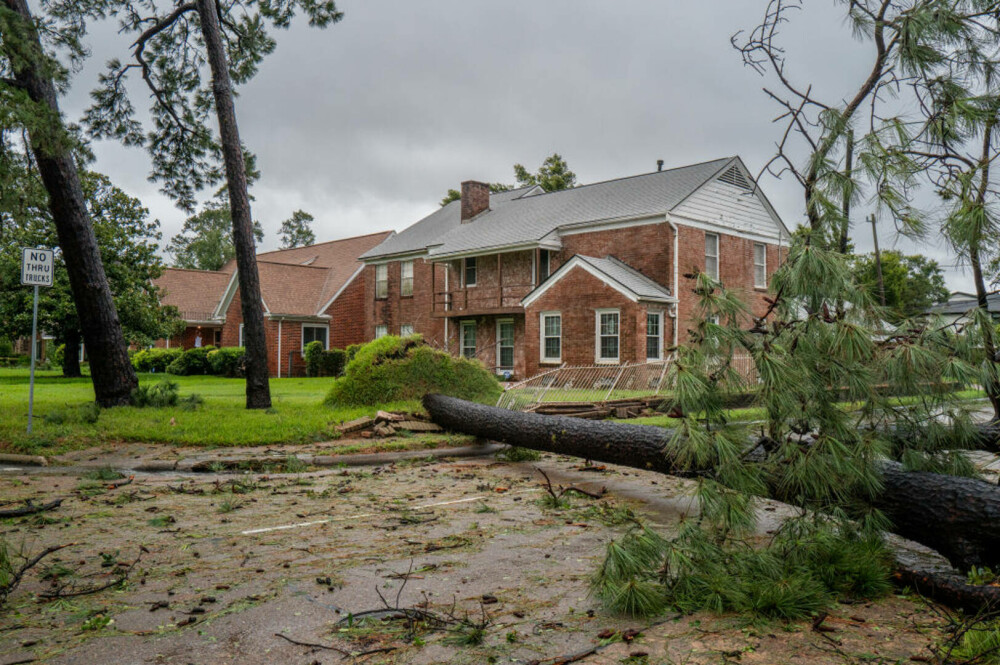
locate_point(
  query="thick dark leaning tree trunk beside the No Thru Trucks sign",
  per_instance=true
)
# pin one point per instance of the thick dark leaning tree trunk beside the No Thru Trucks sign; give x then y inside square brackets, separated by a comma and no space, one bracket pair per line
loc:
[110,368]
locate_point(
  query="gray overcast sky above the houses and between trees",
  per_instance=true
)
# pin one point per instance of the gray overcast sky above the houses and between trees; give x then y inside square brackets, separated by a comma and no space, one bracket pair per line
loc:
[368,123]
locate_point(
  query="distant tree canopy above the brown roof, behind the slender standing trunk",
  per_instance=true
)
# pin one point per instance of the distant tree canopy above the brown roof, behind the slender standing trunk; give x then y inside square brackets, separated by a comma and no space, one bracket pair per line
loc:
[206,239]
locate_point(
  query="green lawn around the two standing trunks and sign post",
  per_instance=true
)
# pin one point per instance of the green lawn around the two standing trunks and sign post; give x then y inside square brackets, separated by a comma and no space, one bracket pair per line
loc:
[297,415]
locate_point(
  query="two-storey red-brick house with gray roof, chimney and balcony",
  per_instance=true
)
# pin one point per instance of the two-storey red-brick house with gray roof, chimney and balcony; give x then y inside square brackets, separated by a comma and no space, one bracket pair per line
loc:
[526,280]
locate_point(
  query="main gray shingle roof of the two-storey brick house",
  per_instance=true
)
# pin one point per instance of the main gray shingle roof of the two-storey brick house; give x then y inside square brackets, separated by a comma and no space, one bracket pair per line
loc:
[514,219]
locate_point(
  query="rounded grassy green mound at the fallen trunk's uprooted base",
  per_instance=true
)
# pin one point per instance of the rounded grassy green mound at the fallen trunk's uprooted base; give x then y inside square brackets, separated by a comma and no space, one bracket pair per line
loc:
[392,369]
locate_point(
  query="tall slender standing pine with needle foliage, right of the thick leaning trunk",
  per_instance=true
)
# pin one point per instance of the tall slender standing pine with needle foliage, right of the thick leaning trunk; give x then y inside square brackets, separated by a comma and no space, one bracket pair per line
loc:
[168,53]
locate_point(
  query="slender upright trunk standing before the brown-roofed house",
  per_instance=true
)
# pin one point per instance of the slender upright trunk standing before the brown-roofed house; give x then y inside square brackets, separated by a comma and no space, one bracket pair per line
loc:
[258,388]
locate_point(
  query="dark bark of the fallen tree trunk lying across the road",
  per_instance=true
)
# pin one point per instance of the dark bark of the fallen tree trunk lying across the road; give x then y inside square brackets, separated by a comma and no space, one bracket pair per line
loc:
[955,516]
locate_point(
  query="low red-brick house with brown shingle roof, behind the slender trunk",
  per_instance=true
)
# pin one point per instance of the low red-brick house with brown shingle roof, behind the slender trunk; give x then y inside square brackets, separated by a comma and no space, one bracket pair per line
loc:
[313,293]
